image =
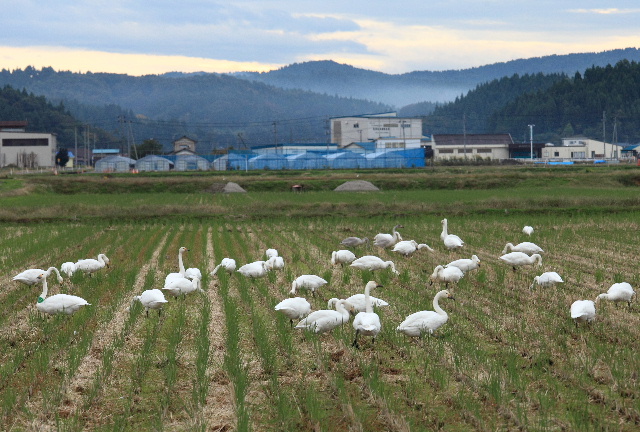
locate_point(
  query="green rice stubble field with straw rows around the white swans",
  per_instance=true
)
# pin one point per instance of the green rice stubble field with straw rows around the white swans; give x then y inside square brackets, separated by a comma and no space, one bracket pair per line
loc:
[509,357]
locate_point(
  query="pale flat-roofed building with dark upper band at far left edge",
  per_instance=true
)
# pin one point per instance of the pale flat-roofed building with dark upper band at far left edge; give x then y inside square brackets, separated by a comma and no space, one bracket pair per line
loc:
[26,149]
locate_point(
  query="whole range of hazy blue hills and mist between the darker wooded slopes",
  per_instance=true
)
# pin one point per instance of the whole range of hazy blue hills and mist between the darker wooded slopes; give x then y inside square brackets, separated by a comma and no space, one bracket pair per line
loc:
[294,103]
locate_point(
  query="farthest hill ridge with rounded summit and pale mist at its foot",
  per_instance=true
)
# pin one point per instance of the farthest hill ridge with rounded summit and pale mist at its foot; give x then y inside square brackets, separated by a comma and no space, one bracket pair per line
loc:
[420,86]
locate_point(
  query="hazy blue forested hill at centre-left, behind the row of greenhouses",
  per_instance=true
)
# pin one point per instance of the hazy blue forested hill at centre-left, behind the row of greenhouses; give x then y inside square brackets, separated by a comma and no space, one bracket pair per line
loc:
[213,109]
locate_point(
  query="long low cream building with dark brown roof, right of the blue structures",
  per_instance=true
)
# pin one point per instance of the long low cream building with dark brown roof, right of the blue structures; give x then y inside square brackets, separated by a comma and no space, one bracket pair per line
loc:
[493,146]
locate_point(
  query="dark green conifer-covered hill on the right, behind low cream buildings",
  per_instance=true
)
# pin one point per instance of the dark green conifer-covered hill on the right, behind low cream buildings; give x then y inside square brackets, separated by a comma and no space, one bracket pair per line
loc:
[576,105]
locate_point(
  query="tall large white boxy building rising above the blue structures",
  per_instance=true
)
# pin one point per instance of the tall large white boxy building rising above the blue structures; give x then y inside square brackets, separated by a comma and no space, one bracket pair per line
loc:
[347,130]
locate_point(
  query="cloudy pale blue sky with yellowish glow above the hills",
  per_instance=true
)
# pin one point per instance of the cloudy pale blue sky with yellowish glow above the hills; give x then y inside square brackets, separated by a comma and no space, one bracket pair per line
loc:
[140,37]
